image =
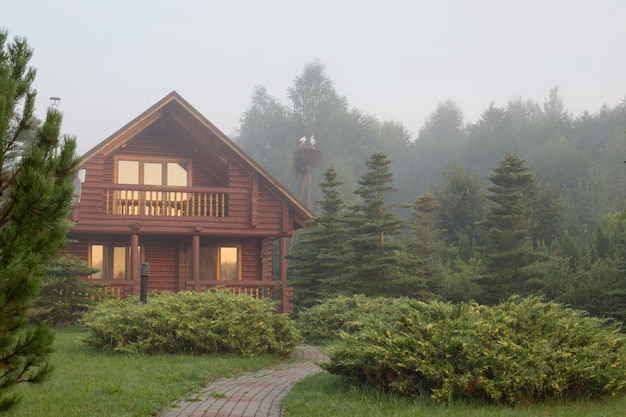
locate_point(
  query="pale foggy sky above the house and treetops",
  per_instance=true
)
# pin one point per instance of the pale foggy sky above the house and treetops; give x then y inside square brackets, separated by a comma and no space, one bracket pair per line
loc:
[109,61]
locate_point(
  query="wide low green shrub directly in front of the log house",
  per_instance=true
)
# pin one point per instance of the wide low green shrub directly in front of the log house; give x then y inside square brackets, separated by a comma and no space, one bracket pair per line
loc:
[191,322]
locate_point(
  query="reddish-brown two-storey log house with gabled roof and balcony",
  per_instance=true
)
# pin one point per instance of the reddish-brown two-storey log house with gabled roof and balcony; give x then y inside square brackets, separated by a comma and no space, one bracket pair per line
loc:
[171,189]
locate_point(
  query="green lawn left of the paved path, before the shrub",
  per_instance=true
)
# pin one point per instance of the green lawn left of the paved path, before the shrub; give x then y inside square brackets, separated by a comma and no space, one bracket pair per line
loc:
[90,383]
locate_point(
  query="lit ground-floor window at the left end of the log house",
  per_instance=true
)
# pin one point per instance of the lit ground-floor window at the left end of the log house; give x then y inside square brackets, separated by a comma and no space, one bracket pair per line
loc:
[113,261]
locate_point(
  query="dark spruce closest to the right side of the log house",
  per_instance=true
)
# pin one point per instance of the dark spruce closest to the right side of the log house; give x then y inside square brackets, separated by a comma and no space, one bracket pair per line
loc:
[319,256]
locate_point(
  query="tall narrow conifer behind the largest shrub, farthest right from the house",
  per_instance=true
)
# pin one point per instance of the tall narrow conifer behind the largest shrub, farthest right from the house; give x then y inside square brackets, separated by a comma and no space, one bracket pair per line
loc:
[509,220]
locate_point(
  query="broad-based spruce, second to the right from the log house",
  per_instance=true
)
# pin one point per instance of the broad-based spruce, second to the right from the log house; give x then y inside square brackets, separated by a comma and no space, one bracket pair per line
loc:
[378,262]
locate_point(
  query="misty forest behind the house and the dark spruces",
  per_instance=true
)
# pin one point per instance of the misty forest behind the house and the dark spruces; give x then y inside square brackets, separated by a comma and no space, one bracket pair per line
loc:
[578,186]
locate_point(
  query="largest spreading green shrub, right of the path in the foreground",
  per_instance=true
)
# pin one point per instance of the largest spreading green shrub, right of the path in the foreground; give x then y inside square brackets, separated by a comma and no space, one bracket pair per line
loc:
[517,352]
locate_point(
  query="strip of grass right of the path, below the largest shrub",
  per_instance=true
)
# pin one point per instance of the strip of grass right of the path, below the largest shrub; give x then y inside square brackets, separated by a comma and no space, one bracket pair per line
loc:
[327,395]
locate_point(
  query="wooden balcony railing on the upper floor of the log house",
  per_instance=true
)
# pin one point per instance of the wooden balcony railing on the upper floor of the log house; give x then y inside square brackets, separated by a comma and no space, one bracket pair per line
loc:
[155,201]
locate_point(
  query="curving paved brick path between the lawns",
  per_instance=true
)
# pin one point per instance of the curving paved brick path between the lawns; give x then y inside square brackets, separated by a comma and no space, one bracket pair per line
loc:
[252,395]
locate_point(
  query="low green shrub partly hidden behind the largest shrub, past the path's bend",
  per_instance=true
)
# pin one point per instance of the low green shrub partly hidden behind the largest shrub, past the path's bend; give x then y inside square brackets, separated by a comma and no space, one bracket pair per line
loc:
[342,314]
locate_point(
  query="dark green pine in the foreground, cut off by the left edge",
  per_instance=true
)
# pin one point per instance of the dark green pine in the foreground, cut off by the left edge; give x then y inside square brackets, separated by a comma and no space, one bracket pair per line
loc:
[35,194]
